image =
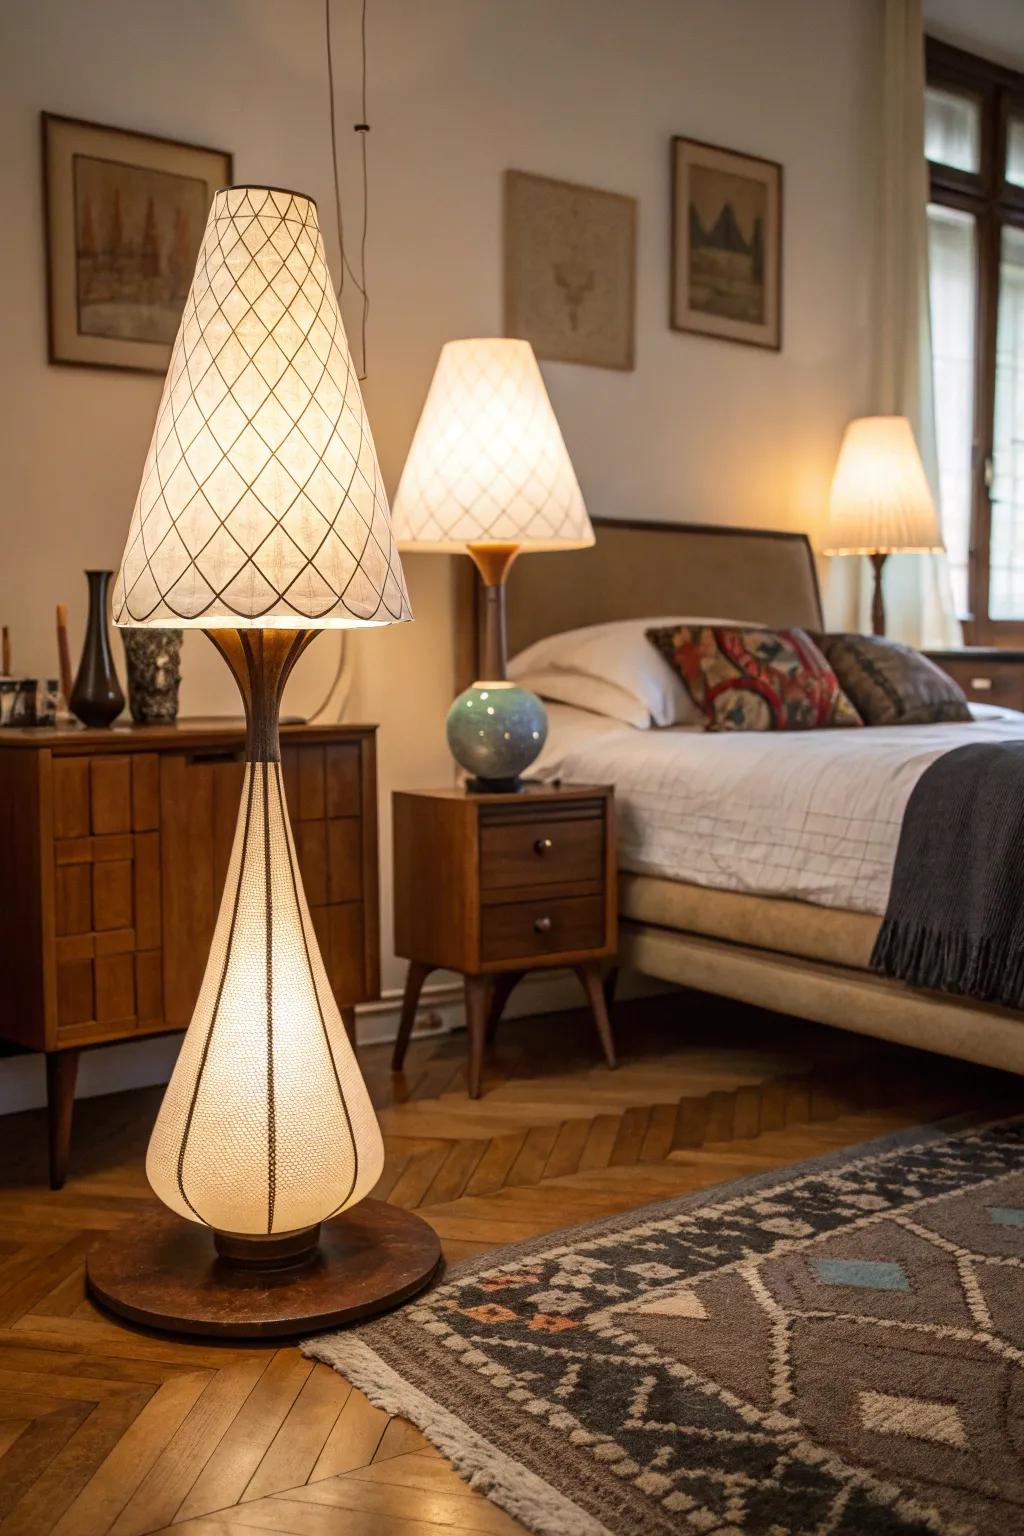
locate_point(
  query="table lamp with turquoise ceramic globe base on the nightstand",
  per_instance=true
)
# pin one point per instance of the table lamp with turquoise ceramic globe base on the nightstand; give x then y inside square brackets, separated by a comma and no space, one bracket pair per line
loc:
[489,475]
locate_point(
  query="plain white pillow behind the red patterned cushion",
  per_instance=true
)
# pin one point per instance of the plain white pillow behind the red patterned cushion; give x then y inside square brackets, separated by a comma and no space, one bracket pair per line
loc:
[616,655]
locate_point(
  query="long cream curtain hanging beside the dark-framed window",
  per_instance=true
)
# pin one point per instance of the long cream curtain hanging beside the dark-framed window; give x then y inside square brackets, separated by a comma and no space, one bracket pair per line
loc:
[919,592]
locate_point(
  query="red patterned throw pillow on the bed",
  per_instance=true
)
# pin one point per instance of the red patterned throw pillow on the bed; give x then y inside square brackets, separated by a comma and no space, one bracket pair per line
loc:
[756,680]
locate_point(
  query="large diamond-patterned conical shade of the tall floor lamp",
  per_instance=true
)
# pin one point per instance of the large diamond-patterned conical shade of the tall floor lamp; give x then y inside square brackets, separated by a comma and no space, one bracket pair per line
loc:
[262,500]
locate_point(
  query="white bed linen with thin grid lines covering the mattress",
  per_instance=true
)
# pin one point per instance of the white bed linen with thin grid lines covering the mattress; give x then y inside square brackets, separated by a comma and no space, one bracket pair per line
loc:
[807,815]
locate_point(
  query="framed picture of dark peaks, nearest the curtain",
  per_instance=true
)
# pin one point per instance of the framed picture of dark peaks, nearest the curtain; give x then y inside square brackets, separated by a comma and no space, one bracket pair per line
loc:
[727,245]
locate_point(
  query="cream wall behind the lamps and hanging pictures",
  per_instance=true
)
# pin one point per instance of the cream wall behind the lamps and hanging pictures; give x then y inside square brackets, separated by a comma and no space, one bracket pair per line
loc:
[460,90]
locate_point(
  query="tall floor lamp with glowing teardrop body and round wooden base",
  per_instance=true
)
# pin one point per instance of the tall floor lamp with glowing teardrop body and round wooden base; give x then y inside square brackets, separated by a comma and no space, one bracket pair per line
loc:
[262,518]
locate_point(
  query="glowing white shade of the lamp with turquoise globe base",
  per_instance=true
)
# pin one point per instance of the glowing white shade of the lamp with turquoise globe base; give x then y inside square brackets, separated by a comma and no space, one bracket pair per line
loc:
[489,463]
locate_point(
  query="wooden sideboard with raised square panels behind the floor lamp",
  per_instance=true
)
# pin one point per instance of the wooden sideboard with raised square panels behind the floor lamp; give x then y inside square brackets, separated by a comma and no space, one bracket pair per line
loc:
[116,847]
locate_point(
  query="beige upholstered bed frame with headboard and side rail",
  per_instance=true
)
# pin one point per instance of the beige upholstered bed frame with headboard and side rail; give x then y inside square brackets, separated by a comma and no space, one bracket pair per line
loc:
[781,955]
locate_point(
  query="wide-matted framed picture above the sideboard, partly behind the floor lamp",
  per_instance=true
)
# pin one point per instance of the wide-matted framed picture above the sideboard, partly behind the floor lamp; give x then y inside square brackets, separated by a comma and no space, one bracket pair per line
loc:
[125,220]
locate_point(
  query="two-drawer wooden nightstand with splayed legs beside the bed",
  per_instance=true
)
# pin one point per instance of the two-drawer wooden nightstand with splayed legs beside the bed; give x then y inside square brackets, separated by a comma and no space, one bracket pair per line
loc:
[497,886]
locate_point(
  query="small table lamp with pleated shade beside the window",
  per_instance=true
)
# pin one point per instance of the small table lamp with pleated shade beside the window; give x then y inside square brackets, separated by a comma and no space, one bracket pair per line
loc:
[880,502]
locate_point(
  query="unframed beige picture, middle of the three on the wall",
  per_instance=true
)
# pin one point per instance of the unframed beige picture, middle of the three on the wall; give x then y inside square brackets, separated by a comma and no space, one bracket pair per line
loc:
[570,271]
